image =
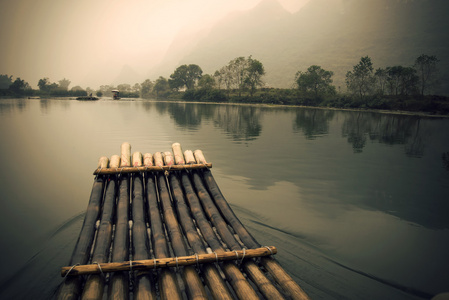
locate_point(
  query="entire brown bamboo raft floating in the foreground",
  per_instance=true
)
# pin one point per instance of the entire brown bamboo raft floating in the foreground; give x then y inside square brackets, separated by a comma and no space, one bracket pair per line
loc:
[158,227]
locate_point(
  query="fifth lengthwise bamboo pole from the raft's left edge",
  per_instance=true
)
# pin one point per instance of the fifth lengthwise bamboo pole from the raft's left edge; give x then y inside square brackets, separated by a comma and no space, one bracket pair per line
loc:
[169,288]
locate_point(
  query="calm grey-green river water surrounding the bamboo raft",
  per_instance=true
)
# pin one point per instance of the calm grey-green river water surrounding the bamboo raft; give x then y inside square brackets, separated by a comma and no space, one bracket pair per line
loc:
[357,203]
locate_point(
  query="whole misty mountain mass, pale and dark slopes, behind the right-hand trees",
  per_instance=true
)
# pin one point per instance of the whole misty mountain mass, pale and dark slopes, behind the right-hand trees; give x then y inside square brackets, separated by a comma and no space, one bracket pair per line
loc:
[331,33]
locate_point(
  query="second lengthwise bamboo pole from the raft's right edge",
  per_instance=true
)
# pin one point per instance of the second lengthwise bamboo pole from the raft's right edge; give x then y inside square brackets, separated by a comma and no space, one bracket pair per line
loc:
[265,286]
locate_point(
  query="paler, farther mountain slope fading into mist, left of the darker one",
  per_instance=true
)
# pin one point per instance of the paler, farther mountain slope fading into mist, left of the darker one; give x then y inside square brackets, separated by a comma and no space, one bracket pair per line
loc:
[225,41]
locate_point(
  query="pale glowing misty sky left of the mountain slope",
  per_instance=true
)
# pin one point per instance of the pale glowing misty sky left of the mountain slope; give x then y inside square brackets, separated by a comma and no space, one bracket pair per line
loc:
[76,39]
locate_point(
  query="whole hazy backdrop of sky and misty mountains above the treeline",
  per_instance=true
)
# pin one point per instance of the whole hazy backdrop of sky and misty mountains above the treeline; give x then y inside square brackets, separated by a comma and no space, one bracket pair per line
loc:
[104,43]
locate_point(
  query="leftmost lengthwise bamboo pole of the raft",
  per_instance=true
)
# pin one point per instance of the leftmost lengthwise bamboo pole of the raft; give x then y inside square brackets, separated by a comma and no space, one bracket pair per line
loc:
[71,287]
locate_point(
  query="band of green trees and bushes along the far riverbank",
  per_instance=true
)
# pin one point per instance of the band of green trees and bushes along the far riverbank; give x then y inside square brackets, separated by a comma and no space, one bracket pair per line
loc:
[395,89]
